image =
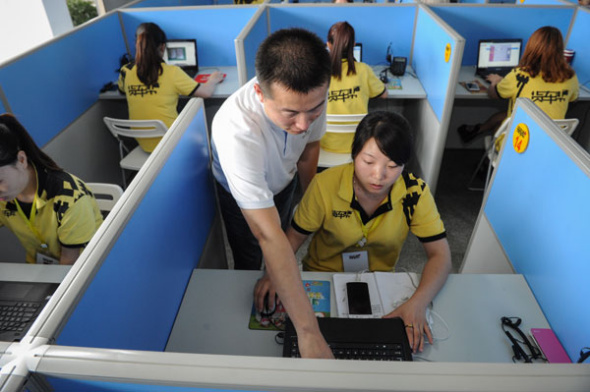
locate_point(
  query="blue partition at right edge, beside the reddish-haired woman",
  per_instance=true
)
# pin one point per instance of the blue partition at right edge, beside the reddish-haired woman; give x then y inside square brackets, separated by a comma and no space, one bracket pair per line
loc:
[578,41]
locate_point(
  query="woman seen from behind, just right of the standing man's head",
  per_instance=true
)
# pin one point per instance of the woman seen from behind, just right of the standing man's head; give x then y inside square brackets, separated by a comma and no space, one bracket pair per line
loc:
[351,86]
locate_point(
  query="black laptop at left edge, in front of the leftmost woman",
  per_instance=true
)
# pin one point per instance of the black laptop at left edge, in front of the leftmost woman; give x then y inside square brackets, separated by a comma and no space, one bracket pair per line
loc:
[20,304]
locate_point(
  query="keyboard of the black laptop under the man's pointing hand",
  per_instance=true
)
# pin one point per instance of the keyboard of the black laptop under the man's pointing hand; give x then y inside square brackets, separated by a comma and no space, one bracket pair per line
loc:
[367,352]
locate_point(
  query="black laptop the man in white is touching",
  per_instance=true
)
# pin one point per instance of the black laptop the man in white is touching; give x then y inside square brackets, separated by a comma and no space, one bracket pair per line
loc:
[363,339]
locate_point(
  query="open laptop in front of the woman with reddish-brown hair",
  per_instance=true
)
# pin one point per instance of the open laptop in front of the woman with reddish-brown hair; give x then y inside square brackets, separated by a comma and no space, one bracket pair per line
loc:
[497,56]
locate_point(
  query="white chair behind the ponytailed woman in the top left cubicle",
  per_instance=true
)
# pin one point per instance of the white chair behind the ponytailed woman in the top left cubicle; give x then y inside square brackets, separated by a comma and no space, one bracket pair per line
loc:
[135,159]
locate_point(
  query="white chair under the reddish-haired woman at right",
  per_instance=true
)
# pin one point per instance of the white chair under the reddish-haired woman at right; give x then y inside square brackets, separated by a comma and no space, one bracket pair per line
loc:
[493,144]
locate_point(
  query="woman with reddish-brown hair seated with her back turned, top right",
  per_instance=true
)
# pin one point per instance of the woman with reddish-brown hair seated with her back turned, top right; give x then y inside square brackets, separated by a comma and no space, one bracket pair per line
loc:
[543,75]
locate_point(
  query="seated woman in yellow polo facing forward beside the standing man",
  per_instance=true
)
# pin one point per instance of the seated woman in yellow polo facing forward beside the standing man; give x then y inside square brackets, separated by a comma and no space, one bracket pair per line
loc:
[360,214]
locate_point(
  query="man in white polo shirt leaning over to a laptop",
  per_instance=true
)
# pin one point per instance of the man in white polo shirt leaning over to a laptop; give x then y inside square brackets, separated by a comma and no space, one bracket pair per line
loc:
[265,137]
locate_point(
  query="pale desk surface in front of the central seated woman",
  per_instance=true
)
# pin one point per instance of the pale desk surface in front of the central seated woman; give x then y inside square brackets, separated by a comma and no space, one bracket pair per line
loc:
[214,316]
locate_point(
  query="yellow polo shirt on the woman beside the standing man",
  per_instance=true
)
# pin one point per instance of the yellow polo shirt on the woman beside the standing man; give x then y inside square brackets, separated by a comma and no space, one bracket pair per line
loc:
[327,211]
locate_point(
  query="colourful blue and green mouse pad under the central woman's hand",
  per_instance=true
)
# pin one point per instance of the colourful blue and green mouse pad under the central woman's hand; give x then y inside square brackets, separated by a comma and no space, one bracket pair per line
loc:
[318,292]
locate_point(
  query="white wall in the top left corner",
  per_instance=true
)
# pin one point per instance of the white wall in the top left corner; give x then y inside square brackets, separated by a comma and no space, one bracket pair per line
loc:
[25,24]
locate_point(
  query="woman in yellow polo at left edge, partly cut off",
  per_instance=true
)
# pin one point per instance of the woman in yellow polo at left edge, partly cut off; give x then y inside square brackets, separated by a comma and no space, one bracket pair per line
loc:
[52,212]
